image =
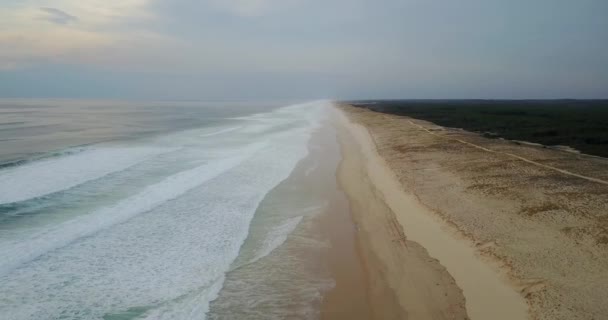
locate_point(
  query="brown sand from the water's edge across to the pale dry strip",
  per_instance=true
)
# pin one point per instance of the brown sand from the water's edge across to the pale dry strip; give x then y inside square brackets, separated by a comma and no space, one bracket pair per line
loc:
[378,272]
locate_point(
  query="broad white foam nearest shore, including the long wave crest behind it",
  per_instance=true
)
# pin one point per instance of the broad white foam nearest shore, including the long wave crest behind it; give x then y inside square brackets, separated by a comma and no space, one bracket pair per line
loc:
[170,261]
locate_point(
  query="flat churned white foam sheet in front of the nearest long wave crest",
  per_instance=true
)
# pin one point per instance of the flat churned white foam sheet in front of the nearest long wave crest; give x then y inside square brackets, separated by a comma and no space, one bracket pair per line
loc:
[163,258]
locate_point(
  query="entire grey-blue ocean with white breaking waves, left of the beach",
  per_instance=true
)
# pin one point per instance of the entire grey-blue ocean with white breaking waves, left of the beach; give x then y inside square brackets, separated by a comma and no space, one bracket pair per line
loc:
[163,210]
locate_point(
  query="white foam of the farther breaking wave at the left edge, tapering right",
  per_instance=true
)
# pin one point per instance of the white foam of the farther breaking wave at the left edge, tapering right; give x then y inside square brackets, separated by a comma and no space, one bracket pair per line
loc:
[48,176]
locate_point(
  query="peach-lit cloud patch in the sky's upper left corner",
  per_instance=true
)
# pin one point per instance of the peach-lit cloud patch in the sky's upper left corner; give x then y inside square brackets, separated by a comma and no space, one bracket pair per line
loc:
[36,32]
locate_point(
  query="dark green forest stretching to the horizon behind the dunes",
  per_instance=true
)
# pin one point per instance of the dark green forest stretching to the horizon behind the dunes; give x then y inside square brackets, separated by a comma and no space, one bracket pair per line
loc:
[580,124]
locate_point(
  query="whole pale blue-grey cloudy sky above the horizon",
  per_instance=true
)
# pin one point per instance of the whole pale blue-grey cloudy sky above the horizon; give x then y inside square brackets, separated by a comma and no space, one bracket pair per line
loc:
[304,49]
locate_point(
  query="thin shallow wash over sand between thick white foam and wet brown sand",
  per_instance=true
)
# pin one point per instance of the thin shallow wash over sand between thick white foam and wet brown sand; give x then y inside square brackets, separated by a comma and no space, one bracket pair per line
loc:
[282,271]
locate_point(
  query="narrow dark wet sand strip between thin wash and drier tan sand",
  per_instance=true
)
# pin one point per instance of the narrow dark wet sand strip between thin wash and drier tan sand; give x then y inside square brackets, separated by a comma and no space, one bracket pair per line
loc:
[349,297]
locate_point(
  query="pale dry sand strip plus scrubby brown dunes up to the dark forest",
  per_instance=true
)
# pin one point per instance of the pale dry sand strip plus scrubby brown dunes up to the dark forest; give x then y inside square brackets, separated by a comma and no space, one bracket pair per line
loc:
[526,215]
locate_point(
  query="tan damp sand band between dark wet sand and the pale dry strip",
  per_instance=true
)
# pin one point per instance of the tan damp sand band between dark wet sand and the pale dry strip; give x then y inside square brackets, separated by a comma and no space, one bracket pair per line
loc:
[404,281]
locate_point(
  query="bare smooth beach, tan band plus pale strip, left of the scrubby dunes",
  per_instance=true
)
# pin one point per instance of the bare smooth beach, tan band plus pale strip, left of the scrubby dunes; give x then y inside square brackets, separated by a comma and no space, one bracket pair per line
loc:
[424,253]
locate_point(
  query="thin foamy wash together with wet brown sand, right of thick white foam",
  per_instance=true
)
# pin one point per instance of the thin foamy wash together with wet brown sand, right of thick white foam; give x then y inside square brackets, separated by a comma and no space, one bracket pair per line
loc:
[317,272]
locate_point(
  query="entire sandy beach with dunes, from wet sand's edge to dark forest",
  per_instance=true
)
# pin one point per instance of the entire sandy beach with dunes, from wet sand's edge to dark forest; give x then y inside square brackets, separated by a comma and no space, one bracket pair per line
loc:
[455,226]
